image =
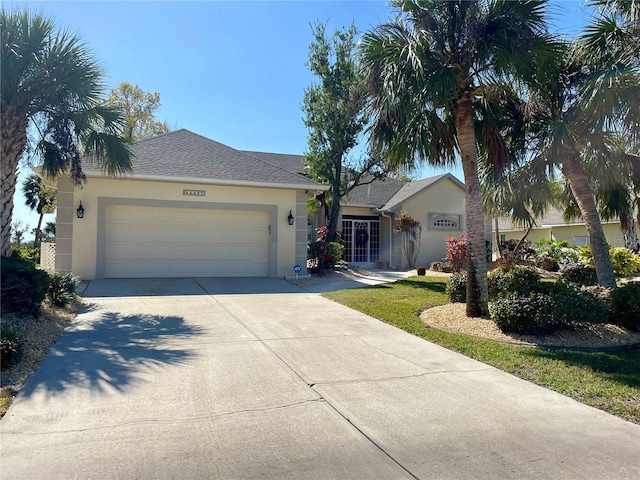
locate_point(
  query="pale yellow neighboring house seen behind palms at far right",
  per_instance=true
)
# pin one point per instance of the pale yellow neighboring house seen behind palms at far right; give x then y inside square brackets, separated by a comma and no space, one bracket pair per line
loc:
[553,227]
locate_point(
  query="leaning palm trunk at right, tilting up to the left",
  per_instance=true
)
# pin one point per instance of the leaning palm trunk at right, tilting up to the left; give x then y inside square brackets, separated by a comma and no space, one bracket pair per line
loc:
[574,172]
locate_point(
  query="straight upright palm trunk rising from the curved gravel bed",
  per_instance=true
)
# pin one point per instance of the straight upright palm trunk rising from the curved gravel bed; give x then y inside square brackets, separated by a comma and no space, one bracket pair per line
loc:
[477,292]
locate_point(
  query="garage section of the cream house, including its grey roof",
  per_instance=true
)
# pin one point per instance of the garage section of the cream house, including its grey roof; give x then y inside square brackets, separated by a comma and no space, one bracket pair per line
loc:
[191,208]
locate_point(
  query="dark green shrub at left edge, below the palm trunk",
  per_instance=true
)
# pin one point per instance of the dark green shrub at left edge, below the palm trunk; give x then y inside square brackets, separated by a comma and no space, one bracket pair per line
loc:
[23,286]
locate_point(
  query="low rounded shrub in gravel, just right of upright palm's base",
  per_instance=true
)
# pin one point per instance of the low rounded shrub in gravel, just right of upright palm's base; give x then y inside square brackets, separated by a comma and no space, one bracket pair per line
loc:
[531,314]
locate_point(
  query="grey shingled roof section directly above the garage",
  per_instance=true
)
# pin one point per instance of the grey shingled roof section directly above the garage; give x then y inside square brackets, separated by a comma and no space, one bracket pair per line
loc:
[182,155]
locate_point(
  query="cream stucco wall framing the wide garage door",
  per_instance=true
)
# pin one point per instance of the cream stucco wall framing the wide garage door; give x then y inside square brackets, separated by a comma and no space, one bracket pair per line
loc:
[288,243]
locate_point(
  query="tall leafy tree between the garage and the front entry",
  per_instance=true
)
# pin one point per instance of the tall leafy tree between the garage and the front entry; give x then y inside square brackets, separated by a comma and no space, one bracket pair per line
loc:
[334,116]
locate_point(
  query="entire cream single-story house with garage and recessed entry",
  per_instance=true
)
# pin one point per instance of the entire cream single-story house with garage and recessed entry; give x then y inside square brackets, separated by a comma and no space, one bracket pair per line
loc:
[193,207]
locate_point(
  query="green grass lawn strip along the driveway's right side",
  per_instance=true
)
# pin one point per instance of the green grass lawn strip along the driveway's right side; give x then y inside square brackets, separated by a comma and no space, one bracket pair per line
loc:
[609,381]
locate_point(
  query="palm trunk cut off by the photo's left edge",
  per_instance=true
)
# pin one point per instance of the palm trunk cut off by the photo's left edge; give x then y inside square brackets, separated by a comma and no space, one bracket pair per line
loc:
[13,129]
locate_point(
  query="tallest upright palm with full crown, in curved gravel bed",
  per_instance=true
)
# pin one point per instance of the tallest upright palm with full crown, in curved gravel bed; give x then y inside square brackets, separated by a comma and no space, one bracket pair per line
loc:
[427,71]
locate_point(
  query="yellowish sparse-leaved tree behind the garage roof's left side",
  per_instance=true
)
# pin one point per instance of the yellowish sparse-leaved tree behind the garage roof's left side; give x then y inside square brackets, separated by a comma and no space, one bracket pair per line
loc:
[139,109]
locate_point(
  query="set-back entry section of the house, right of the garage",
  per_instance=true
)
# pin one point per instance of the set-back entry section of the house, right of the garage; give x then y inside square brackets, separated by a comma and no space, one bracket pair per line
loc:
[368,216]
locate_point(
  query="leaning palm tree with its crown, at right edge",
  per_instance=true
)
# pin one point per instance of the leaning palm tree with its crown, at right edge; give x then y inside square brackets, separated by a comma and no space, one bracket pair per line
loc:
[580,102]
